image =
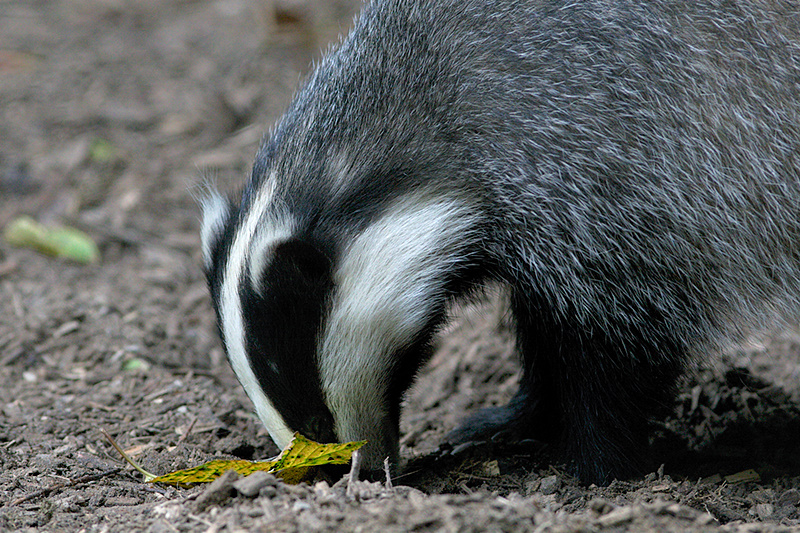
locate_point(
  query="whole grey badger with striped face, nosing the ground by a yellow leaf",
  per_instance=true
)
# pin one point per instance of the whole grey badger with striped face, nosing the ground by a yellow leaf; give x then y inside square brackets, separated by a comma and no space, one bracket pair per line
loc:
[627,169]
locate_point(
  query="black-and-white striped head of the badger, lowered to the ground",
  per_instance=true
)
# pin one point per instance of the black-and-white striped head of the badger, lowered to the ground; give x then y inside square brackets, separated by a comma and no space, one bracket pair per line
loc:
[326,327]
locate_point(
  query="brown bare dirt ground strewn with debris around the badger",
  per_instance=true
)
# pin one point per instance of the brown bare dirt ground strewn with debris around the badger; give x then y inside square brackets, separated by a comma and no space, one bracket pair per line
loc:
[110,111]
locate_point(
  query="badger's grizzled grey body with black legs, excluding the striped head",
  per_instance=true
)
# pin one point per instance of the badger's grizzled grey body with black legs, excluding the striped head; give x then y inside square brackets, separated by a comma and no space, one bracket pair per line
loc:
[633,164]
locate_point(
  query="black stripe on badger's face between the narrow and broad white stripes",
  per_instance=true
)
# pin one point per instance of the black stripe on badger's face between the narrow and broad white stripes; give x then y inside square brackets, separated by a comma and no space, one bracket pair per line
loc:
[282,318]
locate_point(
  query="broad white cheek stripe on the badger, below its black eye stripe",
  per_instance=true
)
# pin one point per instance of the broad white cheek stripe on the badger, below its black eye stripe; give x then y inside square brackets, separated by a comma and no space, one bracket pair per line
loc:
[387,283]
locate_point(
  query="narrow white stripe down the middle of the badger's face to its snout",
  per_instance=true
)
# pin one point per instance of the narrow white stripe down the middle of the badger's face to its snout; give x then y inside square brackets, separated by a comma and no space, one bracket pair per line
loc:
[258,220]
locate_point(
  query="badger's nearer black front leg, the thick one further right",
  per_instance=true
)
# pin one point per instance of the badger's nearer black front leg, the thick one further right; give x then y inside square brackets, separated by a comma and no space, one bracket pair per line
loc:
[610,388]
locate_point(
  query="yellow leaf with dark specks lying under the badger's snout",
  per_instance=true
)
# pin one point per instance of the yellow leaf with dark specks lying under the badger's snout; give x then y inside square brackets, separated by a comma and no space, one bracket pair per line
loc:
[293,465]
